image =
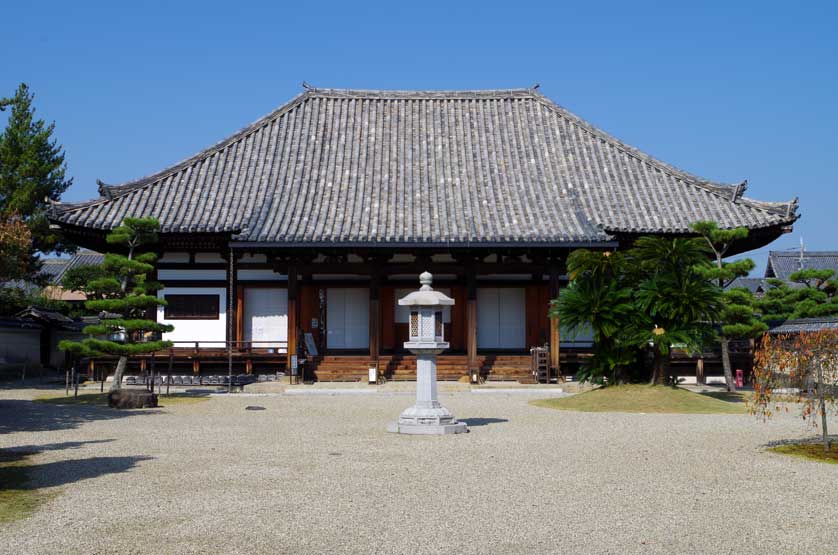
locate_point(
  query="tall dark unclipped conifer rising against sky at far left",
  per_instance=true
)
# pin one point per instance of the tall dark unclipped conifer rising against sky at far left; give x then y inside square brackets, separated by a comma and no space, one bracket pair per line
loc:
[32,170]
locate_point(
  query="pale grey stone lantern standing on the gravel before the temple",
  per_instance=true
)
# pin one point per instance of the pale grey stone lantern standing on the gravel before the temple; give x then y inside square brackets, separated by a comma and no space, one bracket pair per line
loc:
[426,341]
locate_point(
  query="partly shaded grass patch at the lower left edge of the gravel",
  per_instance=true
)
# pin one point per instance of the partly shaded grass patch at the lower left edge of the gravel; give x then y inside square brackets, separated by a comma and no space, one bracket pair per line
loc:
[17,499]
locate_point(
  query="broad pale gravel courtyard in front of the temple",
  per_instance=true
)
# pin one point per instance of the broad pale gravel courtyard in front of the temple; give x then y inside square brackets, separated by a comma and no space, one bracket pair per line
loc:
[318,474]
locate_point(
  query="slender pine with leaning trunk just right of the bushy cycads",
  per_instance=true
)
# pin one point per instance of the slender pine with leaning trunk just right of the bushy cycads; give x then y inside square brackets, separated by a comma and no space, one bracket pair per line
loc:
[738,315]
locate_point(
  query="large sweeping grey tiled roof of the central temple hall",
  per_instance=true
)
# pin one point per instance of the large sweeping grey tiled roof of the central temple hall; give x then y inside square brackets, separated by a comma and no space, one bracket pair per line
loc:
[388,167]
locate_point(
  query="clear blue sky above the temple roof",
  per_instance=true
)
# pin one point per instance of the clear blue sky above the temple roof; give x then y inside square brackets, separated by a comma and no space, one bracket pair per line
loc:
[726,90]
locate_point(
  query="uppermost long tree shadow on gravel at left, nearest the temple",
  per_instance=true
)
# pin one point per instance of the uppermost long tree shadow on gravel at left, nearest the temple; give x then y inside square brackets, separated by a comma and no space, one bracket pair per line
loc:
[29,416]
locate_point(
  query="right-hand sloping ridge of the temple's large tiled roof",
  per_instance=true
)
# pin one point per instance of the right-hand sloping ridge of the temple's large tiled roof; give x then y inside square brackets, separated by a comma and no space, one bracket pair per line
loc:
[731,192]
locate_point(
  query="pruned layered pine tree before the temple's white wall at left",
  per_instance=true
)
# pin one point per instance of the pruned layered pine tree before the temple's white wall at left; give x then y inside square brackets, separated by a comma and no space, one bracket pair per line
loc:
[122,297]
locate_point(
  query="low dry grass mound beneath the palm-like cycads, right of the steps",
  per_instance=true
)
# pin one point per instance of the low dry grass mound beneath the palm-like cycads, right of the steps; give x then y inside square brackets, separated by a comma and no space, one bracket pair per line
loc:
[644,398]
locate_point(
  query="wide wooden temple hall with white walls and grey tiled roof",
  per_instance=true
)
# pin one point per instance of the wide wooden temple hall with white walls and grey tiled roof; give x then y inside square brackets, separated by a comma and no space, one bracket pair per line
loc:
[294,237]
